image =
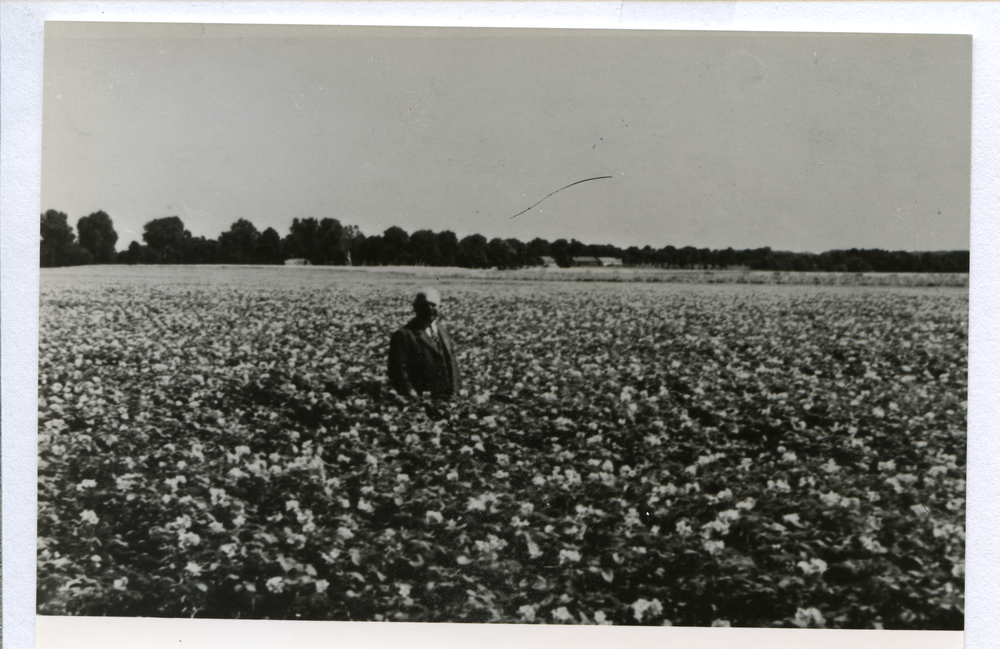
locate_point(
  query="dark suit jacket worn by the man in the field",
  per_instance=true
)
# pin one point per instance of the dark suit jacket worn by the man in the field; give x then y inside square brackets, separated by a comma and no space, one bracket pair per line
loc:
[419,363]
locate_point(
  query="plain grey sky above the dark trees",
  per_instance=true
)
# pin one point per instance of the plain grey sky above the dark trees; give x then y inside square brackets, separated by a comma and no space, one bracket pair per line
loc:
[803,142]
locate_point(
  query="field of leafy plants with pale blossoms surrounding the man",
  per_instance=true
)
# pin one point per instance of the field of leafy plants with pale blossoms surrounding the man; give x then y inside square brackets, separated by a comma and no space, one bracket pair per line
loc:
[221,443]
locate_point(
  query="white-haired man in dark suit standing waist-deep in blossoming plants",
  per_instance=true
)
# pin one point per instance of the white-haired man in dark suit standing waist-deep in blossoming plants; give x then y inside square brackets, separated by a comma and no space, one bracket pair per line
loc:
[421,354]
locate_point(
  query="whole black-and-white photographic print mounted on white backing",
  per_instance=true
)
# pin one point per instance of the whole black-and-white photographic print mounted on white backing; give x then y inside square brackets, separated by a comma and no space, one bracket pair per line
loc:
[534,326]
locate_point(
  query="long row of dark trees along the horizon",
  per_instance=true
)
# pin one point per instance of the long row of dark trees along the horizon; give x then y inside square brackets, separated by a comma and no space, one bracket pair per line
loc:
[327,242]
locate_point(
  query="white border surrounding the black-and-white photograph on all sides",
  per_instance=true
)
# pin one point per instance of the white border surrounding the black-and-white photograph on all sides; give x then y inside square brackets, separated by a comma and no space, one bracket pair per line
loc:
[21,33]
